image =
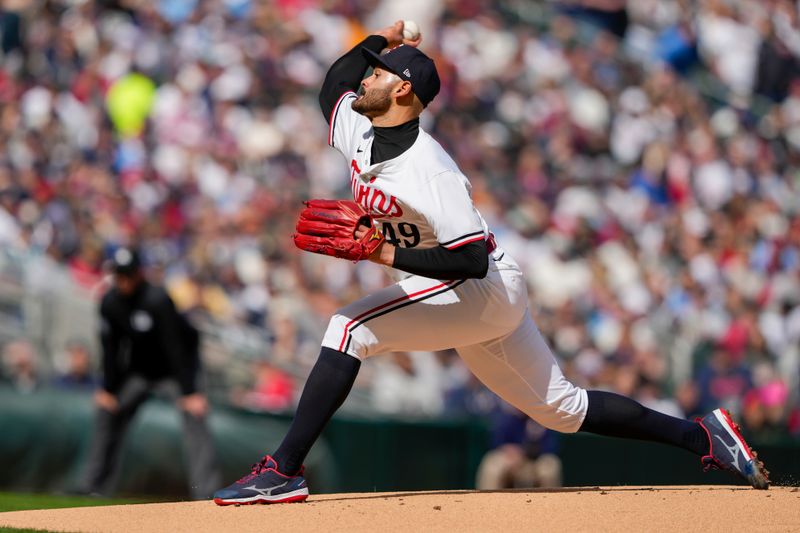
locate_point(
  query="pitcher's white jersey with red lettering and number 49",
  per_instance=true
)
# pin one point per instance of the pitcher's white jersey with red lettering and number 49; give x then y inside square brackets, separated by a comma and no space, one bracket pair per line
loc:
[418,199]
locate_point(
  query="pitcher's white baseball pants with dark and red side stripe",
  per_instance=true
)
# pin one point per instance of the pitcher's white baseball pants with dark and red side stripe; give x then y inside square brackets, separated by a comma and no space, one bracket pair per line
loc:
[486,320]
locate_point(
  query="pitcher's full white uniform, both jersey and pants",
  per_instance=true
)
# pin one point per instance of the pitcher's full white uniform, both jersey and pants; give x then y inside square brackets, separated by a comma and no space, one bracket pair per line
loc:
[421,199]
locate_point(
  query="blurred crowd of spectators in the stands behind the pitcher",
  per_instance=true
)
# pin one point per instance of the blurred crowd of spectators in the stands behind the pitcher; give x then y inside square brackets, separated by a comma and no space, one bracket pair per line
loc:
[640,160]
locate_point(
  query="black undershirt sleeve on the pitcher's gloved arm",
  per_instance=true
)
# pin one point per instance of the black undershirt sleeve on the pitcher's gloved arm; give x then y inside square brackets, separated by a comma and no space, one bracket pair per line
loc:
[465,262]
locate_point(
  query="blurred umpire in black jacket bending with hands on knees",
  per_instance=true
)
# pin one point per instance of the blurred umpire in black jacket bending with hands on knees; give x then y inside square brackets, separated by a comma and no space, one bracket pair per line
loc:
[147,347]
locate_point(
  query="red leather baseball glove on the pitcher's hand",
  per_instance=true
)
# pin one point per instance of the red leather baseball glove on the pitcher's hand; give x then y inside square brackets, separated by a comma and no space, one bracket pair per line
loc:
[328,227]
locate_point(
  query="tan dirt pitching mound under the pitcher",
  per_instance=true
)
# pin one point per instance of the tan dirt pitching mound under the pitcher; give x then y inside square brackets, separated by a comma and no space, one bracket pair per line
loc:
[696,508]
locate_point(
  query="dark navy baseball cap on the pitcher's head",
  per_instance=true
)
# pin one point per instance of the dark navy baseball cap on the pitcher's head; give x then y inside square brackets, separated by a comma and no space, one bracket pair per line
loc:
[409,64]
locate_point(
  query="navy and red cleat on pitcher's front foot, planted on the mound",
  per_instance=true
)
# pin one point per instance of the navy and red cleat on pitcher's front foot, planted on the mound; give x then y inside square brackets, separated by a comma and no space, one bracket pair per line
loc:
[264,484]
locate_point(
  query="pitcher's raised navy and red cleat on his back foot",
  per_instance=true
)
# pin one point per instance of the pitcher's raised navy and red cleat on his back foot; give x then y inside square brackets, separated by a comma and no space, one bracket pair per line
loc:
[729,451]
